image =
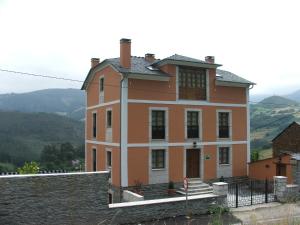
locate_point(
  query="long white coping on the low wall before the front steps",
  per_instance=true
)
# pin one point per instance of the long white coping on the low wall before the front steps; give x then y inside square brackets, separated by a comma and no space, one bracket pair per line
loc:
[160,201]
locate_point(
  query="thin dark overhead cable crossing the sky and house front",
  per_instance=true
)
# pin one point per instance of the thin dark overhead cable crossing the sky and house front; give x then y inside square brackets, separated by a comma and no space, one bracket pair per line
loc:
[131,87]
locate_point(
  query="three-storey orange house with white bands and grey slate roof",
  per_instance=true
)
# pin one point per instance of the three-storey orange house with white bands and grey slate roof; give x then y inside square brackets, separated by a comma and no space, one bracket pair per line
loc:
[152,121]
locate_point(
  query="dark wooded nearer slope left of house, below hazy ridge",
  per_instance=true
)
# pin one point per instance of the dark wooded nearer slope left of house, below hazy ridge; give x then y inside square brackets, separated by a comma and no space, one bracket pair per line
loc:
[24,135]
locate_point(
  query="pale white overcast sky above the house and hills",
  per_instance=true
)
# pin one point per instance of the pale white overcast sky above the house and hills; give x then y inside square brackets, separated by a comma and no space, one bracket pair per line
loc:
[258,40]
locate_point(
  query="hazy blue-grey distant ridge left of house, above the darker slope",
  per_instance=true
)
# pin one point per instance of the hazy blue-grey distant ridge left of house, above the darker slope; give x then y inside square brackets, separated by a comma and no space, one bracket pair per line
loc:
[67,102]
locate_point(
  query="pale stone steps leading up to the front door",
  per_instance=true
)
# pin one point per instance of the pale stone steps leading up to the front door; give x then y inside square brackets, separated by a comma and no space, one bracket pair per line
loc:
[196,187]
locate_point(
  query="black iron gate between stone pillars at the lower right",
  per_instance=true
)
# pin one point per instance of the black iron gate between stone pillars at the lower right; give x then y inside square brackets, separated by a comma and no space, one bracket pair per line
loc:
[250,192]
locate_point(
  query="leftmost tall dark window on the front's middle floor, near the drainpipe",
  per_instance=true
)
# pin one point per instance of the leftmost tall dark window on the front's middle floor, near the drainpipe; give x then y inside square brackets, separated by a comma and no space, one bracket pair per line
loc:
[158,124]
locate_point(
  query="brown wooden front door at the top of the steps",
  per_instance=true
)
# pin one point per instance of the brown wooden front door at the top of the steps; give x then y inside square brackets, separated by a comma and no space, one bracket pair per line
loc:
[193,163]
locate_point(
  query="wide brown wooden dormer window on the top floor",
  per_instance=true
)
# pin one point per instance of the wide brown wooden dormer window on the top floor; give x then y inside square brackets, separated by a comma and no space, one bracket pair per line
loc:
[192,83]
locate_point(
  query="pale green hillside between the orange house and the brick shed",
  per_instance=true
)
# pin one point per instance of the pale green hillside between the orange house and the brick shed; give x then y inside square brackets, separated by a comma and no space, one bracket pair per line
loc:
[269,117]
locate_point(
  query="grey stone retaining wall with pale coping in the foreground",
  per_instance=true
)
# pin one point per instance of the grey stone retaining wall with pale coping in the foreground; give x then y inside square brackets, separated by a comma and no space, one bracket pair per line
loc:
[82,199]
